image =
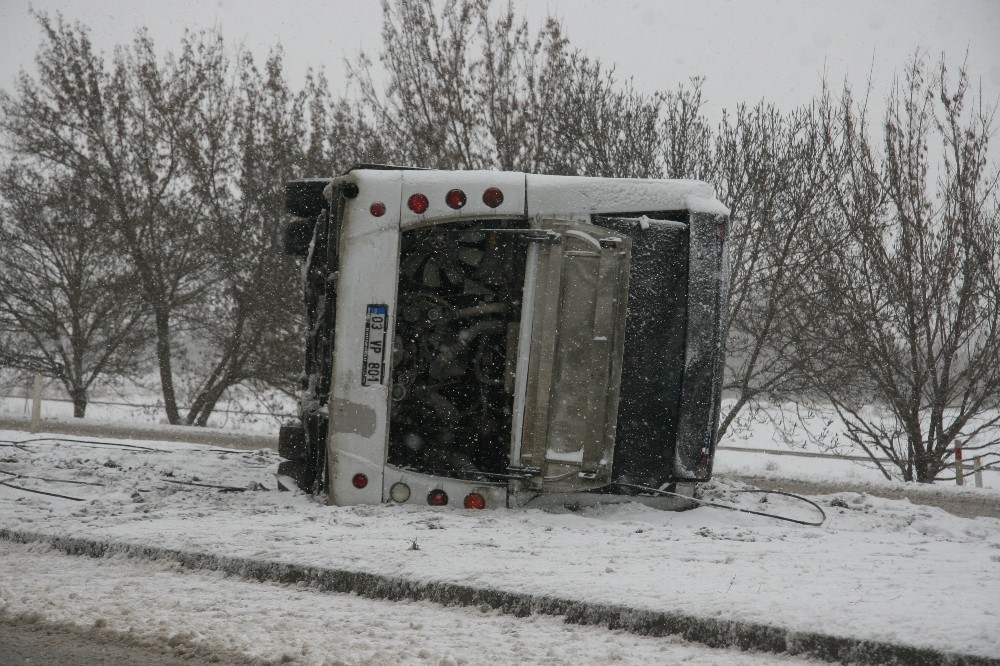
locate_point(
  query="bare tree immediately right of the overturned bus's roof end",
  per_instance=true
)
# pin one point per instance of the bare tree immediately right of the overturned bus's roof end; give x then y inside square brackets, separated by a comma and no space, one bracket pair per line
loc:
[769,172]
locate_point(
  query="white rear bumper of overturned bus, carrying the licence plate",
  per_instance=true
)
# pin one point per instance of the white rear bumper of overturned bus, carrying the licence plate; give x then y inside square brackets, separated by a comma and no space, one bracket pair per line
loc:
[366,292]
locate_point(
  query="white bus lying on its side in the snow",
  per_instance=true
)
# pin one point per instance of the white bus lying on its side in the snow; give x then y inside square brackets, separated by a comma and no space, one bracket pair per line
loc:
[493,339]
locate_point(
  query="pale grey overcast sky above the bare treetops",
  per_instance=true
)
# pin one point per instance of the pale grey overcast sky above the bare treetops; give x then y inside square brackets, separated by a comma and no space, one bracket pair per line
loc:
[775,50]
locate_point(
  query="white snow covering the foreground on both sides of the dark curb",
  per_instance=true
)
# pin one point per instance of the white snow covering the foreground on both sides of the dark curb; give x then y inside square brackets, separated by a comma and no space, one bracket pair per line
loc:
[878,569]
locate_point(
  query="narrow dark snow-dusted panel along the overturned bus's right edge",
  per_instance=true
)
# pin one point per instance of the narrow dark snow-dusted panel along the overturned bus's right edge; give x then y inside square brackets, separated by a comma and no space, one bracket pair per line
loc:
[704,356]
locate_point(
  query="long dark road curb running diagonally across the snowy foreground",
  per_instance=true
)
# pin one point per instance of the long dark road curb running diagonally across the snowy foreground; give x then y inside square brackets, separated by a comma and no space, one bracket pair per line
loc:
[713,632]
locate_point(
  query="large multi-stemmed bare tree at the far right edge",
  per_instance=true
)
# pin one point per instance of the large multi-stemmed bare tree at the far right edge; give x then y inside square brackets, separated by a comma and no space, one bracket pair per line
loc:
[905,316]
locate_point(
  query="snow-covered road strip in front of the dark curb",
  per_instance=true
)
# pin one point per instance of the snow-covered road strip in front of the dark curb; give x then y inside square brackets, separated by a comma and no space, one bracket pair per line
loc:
[202,614]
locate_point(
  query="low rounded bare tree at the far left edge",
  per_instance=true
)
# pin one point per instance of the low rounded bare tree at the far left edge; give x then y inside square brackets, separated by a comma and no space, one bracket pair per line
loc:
[67,301]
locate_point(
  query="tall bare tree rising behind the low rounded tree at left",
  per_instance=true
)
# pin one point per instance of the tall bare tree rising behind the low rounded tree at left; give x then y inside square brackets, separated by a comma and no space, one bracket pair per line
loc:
[123,126]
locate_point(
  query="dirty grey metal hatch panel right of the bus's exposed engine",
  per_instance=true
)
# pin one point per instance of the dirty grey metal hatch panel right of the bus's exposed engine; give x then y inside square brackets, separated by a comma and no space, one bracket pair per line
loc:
[573,320]
